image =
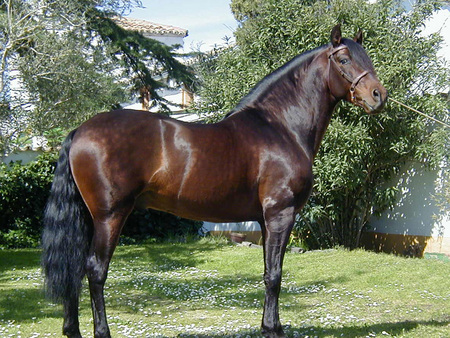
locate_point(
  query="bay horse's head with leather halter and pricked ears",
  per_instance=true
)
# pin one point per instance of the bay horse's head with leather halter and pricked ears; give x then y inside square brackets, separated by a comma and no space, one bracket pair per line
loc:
[351,75]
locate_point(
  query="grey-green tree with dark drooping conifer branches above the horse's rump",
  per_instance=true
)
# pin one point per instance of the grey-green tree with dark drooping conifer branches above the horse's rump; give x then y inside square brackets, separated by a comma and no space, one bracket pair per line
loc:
[63,61]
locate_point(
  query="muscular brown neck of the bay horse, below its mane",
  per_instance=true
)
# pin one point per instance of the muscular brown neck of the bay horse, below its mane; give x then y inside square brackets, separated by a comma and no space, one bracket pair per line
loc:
[301,105]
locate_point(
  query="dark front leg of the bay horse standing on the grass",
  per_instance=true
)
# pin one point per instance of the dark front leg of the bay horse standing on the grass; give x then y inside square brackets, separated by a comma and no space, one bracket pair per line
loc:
[276,232]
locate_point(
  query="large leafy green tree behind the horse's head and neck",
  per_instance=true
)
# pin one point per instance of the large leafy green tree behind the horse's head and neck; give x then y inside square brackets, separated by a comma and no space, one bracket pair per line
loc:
[359,153]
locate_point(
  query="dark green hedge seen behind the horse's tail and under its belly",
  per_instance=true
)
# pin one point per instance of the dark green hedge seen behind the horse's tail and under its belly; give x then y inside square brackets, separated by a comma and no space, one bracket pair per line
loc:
[24,190]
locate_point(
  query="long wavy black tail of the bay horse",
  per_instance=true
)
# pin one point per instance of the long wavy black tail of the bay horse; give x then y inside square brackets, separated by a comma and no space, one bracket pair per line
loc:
[66,238]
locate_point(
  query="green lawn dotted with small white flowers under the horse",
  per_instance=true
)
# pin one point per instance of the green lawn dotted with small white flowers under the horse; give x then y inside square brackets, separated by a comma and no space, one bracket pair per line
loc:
[205,289]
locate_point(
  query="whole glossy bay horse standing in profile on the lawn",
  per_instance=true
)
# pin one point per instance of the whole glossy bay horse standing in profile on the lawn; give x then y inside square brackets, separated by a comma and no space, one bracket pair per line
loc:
[255,164]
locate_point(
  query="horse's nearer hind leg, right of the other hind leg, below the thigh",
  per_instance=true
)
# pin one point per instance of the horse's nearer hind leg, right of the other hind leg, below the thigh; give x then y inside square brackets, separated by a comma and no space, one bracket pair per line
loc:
[106,234]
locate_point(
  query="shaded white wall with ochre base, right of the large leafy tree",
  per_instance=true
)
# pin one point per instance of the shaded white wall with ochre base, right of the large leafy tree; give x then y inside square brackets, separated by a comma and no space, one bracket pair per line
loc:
[411,227]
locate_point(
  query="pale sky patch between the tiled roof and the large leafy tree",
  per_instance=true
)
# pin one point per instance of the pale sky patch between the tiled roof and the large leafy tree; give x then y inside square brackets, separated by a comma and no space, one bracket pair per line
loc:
[207,21]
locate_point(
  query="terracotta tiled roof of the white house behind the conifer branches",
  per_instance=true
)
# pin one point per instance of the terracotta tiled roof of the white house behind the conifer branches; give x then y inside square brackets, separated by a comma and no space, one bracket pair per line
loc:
[143,26]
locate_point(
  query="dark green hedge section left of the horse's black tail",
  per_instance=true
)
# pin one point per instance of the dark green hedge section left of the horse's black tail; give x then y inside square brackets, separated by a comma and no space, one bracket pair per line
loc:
[24,191]
